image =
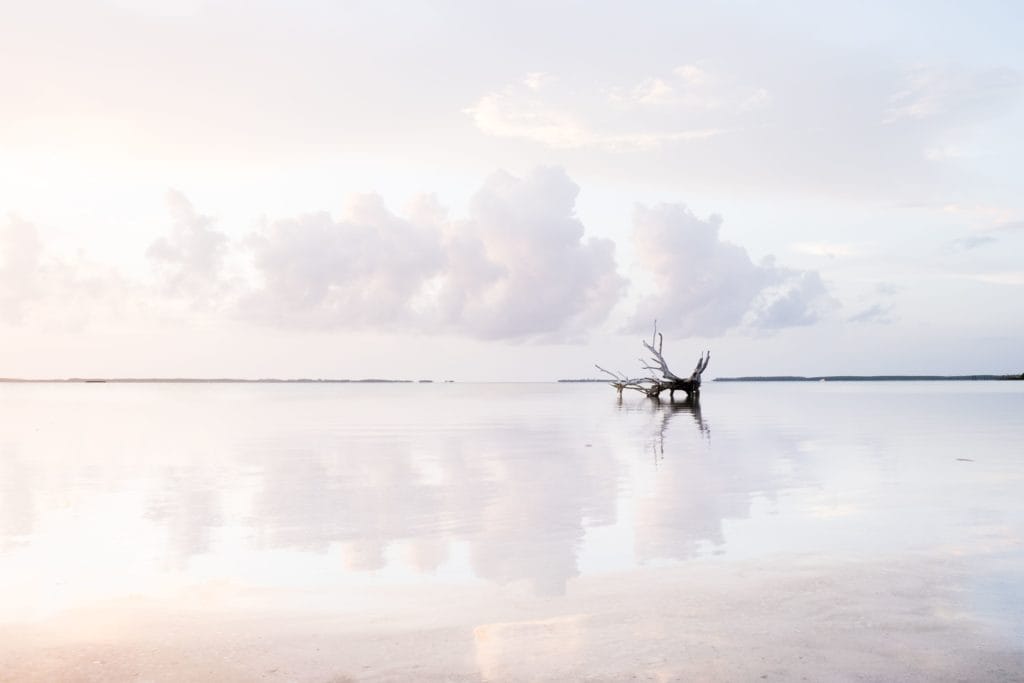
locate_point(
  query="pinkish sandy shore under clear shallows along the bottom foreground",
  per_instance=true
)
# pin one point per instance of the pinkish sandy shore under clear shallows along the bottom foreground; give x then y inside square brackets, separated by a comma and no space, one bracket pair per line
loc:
[901,621]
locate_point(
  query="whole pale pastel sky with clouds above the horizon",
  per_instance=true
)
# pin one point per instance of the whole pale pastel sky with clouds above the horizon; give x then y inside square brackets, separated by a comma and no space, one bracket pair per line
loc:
[509,191]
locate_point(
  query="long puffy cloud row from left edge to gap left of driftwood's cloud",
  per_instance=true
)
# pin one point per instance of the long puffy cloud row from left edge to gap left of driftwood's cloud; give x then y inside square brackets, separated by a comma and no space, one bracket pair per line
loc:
[519,267]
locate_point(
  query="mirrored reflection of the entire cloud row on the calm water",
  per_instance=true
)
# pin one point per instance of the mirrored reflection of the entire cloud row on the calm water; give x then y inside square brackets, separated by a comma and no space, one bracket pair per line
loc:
[517,486]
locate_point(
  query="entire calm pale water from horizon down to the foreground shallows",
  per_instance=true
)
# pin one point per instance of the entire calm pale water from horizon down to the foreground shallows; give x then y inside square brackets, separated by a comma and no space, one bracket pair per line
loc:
[511,531]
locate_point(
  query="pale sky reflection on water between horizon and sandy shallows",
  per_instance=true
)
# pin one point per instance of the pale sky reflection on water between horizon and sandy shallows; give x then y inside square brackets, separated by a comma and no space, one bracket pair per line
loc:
[110,491]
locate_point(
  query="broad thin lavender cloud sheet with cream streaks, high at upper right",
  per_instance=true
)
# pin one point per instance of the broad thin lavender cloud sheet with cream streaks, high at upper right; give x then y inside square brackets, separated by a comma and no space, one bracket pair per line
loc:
[844,123]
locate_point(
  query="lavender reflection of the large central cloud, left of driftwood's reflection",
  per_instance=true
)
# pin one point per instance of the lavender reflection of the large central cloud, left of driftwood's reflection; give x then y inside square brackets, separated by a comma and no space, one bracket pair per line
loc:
[519,497]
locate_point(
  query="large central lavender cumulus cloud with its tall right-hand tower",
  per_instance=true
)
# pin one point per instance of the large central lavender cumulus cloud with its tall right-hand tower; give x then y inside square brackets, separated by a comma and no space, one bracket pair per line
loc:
[519,267]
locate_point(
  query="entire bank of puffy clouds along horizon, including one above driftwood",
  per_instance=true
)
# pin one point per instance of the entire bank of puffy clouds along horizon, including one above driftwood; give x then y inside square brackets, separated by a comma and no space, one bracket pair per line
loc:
[520,267]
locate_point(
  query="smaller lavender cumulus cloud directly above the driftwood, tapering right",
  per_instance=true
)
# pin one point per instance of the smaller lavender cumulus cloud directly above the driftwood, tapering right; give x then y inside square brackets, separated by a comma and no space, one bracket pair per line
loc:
[706,286]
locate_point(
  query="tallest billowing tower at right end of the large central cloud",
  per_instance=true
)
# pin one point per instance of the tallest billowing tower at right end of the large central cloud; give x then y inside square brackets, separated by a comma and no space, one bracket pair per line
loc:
[521,266]
